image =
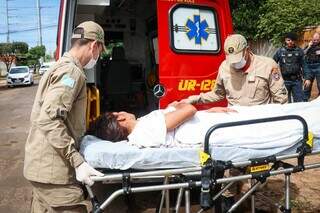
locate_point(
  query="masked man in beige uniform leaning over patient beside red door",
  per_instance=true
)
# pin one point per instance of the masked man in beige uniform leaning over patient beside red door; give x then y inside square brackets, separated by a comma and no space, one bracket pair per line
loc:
[244,78]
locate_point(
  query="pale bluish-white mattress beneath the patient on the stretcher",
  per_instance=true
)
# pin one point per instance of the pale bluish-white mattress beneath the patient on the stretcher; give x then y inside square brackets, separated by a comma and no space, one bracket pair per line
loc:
[104,154]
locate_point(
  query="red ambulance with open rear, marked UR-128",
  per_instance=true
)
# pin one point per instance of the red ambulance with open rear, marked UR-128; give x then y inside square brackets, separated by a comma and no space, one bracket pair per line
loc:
[159,51]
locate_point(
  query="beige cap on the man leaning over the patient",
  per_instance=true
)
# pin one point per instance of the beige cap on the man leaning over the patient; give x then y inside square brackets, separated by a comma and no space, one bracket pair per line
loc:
[233,46]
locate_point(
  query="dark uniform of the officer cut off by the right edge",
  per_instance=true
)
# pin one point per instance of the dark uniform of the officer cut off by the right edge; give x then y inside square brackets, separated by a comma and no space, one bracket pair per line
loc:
[312,67]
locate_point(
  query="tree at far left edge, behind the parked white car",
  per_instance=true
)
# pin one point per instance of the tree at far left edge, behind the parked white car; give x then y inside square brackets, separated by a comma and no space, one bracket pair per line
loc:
[10,51]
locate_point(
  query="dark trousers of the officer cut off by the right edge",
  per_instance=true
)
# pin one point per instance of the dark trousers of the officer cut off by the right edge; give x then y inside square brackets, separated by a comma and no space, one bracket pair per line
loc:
[312,72]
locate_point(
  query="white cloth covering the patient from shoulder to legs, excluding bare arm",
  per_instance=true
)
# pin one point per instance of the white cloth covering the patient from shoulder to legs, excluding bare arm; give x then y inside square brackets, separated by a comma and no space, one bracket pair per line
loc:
[150,130]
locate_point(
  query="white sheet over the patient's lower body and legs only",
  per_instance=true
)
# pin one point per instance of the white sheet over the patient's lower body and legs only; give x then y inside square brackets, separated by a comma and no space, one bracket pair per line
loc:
[257,136]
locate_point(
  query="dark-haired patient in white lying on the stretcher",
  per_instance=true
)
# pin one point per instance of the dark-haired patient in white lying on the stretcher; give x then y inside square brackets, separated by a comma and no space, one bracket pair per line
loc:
[182,126]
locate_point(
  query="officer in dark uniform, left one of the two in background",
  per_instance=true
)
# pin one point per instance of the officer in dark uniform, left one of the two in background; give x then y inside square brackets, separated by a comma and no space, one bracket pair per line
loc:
[290,59]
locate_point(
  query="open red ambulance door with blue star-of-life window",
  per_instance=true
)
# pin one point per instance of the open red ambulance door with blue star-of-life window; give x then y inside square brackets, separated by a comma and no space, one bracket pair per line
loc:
[190,40]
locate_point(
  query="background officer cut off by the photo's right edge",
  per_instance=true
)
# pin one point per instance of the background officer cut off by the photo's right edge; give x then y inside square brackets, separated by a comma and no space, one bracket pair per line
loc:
[312,65]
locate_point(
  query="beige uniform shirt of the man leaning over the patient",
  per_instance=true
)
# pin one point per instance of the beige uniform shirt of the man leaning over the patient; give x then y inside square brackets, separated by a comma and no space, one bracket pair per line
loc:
[261,83]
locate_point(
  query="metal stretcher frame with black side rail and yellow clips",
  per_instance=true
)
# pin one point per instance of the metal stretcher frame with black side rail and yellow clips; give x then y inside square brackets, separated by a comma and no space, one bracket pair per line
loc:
[211,174]
